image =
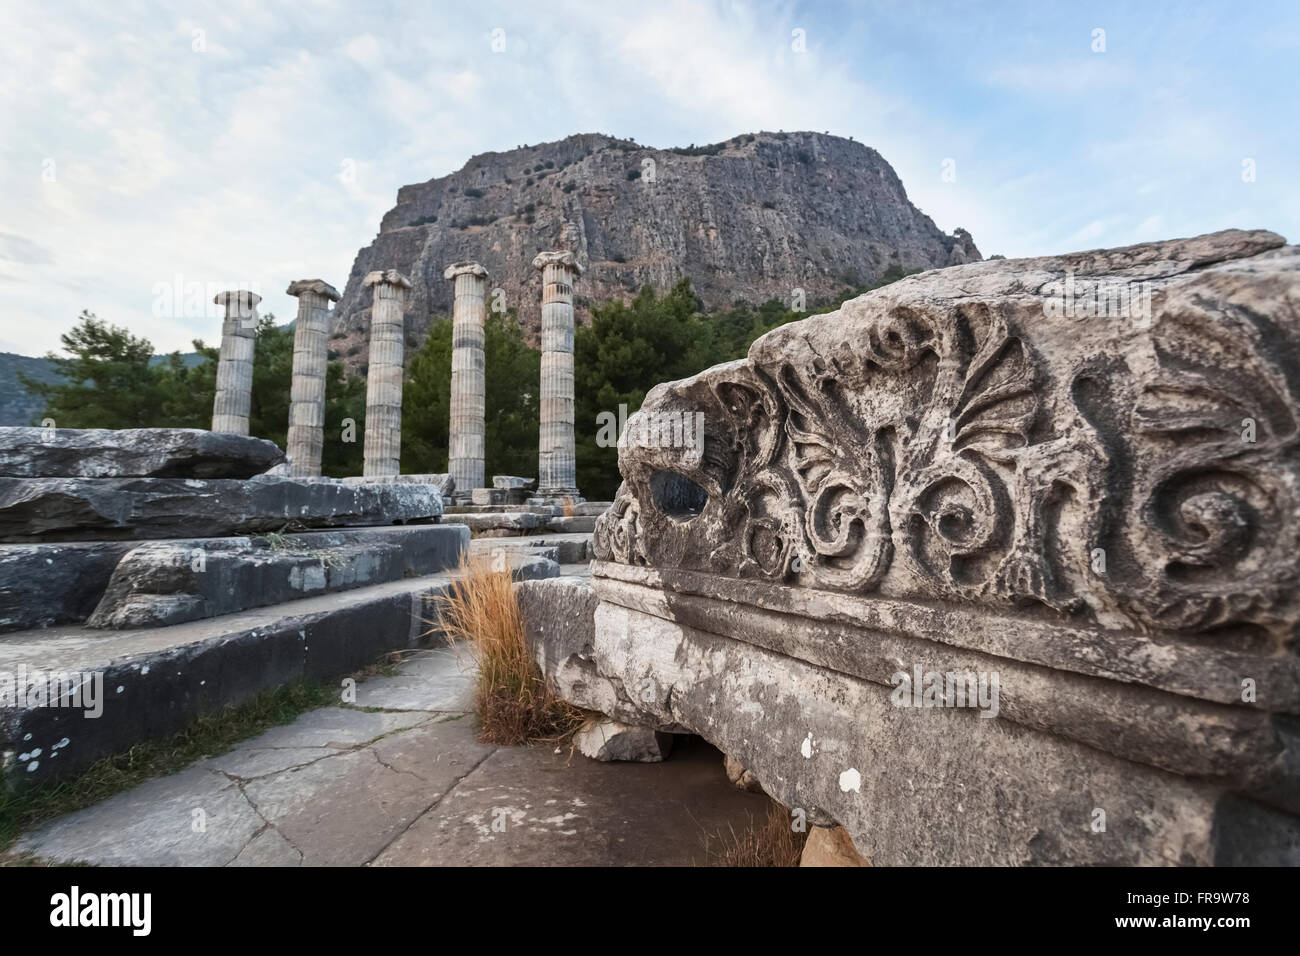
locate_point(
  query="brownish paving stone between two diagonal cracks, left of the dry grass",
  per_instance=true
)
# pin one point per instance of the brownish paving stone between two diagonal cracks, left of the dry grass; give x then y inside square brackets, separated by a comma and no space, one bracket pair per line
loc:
[346,810]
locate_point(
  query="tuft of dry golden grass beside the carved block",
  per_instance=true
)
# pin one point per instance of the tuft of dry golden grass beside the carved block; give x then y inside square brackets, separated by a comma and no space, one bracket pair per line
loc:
[514,703]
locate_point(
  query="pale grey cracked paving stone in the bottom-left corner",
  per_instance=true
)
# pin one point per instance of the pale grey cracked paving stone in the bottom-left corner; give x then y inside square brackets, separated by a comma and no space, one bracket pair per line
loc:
[154,825]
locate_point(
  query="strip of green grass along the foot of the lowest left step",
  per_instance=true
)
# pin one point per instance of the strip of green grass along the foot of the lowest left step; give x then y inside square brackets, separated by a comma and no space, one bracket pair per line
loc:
[209,737]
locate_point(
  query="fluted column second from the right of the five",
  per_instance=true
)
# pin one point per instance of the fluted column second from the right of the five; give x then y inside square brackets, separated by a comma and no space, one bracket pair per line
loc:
[469,417]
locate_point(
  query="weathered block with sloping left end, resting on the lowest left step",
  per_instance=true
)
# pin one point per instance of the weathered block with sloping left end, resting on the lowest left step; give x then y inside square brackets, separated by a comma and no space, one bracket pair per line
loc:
[172,582]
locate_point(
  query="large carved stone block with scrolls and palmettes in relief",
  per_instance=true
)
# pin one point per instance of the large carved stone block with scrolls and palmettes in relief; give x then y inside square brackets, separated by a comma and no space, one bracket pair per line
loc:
[977,475]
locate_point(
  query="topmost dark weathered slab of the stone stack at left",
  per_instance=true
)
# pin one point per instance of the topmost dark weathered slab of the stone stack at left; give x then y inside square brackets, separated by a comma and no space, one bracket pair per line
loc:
[133,453]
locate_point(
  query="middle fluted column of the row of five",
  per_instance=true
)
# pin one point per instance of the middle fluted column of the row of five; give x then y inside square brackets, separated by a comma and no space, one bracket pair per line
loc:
[384,377]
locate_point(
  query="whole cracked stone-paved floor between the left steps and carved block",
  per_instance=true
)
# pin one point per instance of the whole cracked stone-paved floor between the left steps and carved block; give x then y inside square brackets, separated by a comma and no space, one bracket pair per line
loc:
[435,797]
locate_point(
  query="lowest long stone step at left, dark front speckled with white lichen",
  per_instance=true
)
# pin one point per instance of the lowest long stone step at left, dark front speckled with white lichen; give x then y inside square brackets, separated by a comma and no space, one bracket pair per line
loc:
[119,689]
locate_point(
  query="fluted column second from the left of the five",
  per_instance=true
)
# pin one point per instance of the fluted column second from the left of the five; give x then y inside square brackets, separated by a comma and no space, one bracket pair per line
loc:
[307,390]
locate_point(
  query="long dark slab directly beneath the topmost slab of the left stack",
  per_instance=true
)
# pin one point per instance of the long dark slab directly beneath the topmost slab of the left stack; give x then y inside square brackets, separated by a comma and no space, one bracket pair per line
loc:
[93,509]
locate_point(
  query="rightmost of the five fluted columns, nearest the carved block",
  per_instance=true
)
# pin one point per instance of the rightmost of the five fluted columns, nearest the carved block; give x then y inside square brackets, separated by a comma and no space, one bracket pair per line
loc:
[557,475]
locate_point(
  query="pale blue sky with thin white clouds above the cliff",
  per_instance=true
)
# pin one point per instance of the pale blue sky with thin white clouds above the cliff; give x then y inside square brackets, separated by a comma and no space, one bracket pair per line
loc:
[153,152]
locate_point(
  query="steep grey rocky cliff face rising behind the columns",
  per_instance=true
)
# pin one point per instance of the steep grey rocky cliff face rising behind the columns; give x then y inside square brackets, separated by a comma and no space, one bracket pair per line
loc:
[749,219]
